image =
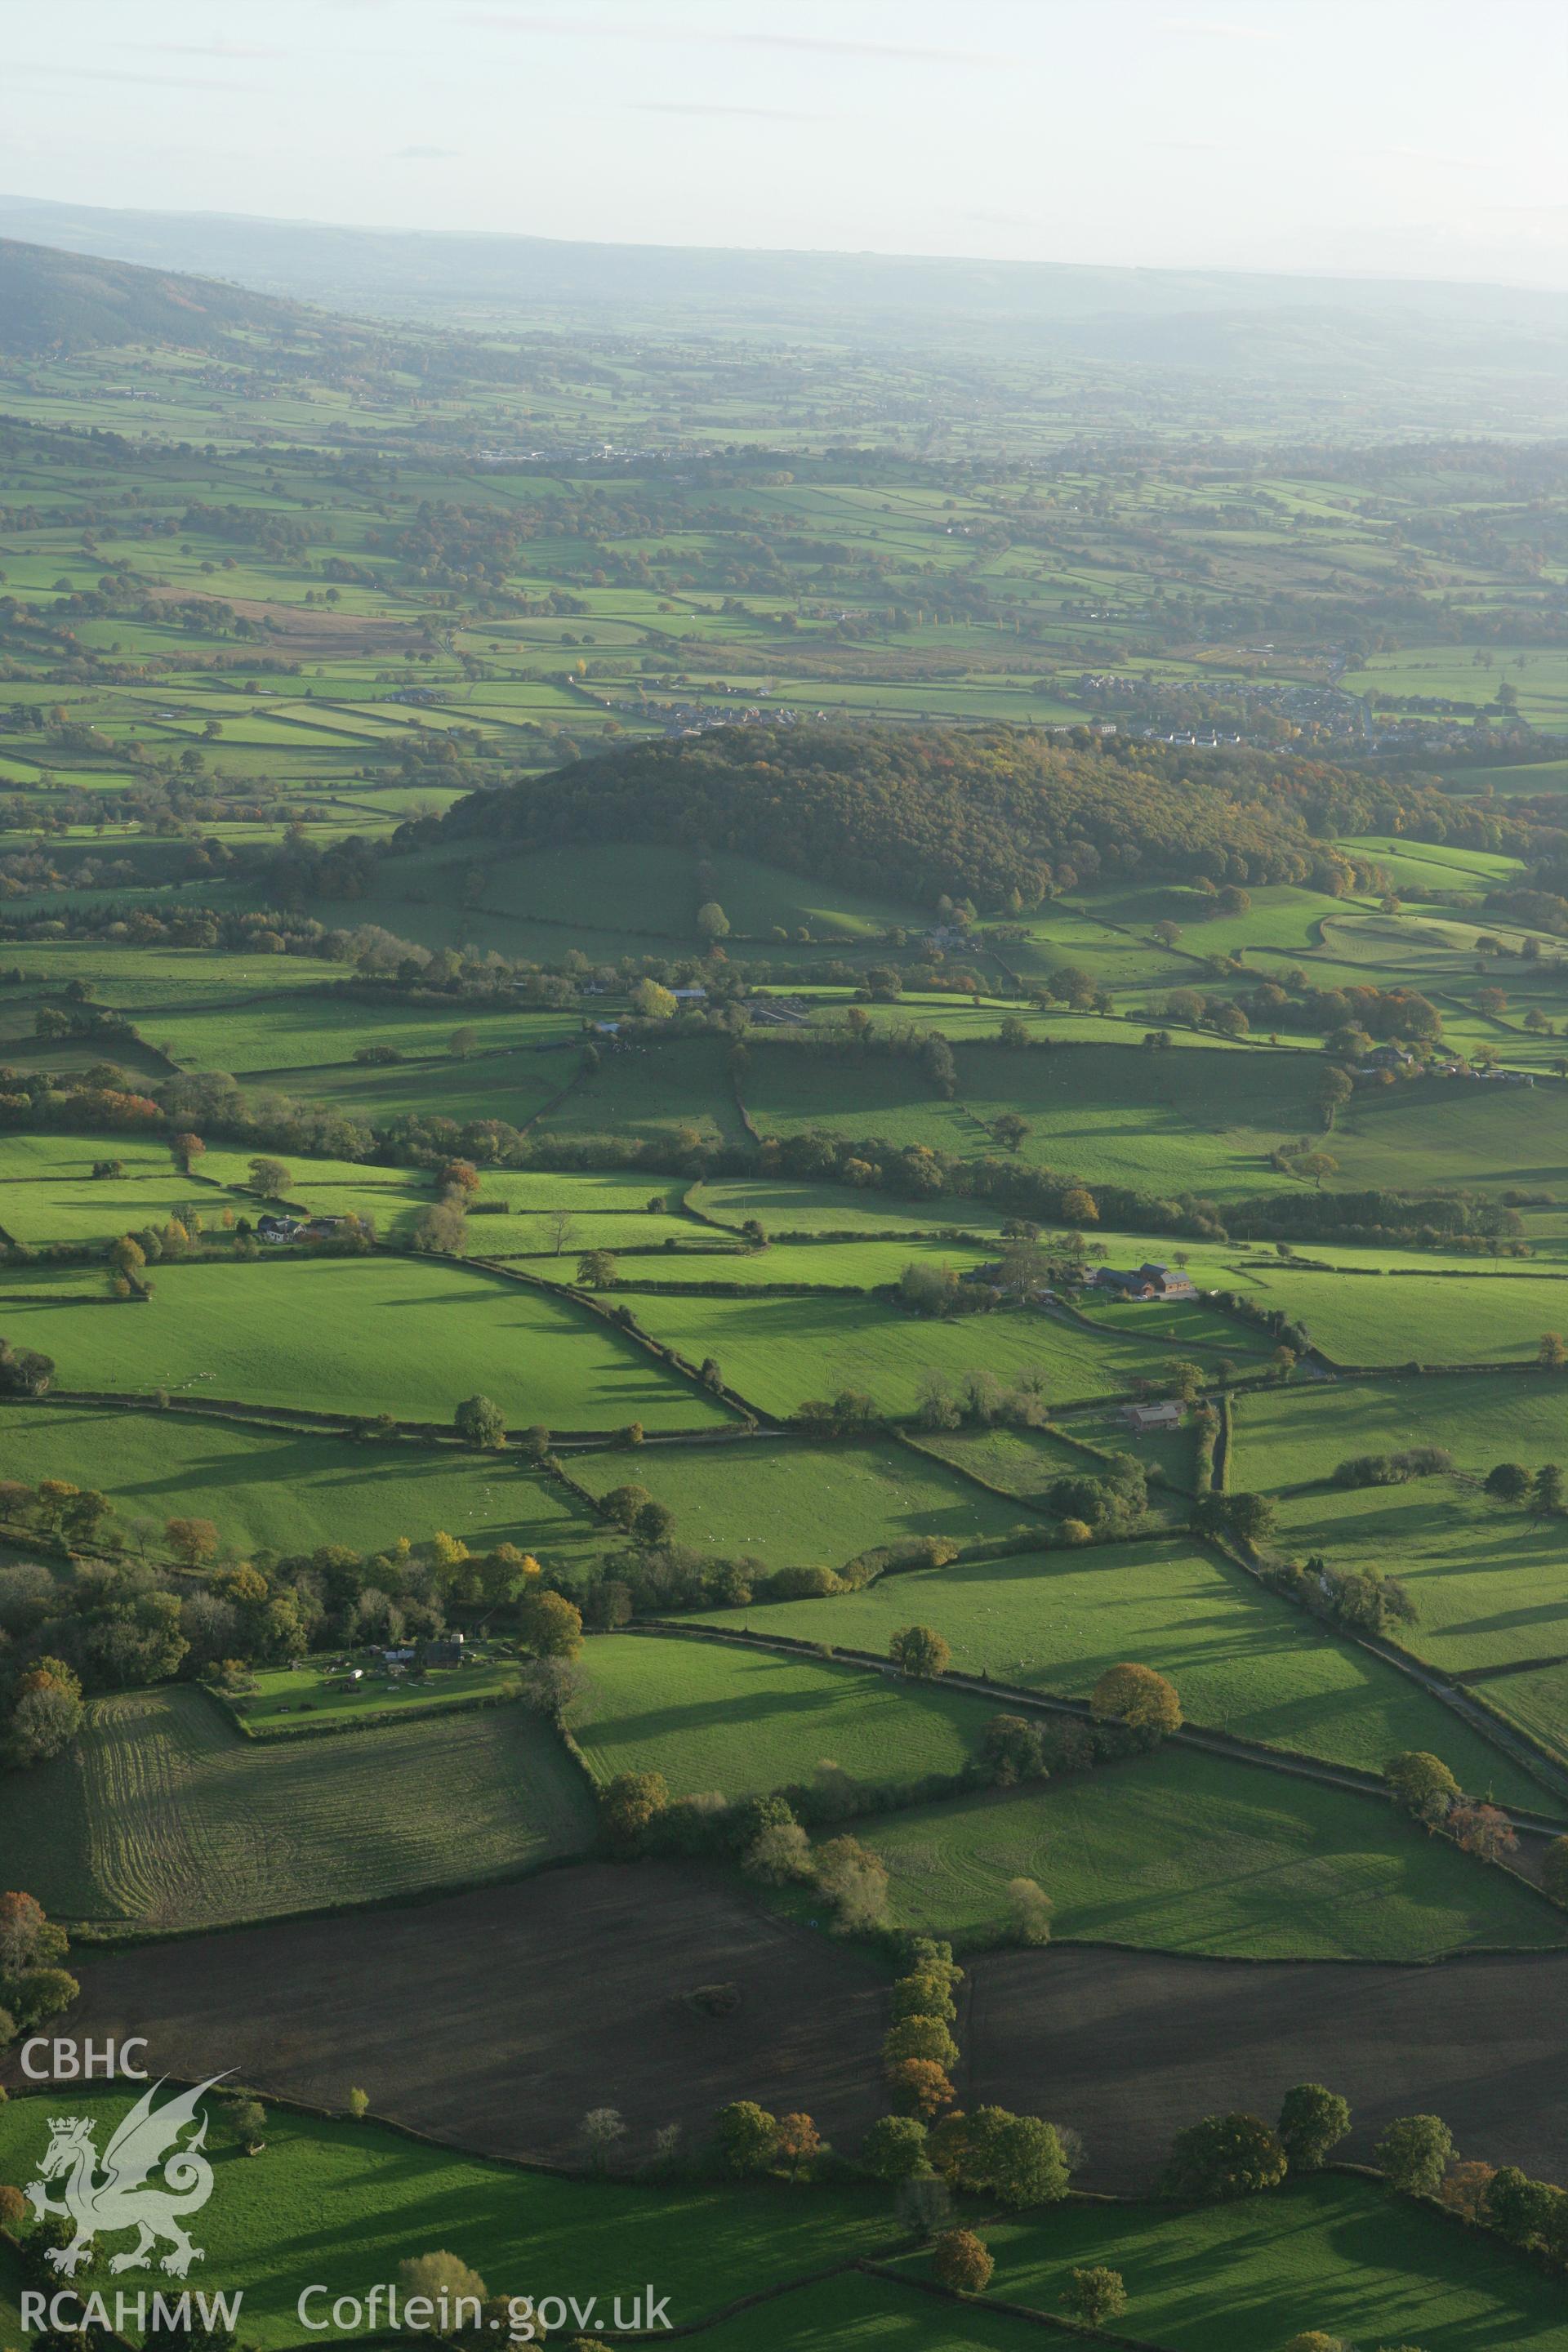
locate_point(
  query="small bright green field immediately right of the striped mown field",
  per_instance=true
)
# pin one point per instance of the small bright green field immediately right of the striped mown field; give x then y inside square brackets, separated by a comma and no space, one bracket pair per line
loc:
[716,1718]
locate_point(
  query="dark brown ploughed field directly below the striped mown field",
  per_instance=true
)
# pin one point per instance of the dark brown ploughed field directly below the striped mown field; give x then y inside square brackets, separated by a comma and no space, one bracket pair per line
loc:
[497,2019]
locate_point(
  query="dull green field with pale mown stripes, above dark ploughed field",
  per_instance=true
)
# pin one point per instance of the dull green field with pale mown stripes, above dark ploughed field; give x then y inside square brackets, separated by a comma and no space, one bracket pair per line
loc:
[166,1817]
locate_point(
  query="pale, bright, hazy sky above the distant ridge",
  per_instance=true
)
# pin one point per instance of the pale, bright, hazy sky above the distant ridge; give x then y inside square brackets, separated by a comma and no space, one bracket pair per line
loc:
[1360,138]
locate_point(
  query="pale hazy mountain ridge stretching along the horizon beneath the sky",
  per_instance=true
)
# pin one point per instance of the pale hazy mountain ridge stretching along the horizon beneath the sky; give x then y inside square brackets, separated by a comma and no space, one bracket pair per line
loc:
[1144,316]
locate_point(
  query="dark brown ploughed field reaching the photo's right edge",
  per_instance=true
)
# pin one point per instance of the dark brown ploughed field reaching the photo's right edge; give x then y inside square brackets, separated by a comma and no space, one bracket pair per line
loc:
[1130,2047]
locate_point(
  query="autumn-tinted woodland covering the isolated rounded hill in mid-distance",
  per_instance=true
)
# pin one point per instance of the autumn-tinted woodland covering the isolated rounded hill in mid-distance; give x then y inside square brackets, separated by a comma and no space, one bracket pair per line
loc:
[979,813]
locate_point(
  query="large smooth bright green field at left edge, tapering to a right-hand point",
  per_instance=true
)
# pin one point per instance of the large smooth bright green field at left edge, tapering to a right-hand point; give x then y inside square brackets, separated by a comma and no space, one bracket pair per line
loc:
[361,1337]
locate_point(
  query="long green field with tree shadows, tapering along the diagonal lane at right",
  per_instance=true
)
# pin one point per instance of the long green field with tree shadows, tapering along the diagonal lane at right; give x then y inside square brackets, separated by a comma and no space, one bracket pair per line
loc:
[1242,1662]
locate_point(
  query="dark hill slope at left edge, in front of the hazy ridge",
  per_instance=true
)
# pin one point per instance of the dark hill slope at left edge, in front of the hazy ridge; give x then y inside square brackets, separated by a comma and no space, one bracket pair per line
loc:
[79,302]
